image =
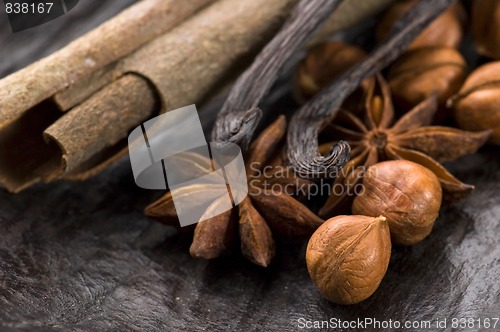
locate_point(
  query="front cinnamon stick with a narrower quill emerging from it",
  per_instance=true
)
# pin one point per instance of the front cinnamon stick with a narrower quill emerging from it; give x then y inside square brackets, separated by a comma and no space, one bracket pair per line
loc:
[178,68]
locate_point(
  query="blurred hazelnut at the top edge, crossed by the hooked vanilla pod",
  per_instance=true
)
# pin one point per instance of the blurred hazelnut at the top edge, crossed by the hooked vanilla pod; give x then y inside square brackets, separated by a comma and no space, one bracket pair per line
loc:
[445,30]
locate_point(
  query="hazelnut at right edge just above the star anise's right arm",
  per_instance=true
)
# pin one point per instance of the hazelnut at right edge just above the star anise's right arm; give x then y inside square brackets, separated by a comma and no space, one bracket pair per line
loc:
[476,106]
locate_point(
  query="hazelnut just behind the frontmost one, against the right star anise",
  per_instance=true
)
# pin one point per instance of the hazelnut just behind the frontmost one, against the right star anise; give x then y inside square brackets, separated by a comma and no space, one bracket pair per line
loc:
[407,194]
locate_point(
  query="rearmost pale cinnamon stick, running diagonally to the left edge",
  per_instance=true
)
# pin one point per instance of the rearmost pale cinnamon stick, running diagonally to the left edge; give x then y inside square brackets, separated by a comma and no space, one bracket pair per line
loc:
[114,39]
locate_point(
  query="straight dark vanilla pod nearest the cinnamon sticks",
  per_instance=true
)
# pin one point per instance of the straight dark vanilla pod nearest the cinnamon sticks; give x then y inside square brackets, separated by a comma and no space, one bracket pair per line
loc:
[239,116]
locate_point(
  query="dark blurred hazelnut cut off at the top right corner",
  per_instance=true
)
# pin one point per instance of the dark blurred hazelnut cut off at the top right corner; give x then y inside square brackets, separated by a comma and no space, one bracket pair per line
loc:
[486,27]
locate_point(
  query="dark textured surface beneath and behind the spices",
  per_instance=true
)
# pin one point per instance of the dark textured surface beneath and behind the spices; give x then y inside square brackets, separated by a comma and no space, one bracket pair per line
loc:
[81,256]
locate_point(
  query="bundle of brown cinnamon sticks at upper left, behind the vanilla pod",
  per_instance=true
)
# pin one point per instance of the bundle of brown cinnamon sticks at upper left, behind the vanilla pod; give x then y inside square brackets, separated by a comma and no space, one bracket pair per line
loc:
[68,115]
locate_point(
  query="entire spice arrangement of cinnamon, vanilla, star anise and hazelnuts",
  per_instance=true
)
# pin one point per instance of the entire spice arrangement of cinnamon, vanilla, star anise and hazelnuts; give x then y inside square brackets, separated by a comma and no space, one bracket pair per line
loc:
[377,138]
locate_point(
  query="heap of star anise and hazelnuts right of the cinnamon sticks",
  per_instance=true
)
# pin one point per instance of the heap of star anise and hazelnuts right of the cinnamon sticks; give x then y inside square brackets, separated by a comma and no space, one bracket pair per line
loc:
[400,129]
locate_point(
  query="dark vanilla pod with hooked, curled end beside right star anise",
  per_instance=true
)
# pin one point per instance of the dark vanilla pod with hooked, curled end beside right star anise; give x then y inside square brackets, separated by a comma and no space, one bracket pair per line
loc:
[302,139]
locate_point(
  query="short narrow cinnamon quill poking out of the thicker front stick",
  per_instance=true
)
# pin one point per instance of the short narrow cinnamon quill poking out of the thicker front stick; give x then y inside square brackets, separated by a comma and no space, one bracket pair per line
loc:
[77,129]
